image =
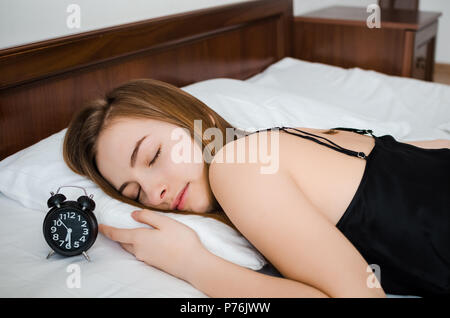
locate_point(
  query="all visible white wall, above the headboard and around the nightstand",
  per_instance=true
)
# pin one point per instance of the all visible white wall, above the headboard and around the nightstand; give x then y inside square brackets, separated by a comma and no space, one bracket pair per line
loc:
[26,21]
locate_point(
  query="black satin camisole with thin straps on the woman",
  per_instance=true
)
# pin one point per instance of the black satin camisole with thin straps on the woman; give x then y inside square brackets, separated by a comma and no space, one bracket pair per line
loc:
[399,217]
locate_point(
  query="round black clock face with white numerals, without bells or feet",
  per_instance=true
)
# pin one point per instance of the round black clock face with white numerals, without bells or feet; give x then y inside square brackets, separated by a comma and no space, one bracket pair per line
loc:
[69,231]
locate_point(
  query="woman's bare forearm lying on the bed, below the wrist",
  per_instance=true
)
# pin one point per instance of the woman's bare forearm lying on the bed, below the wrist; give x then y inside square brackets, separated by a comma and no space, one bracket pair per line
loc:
[219,278]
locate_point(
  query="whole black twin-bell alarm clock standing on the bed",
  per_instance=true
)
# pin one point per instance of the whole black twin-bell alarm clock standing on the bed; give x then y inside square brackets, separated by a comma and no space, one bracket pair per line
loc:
[70,227]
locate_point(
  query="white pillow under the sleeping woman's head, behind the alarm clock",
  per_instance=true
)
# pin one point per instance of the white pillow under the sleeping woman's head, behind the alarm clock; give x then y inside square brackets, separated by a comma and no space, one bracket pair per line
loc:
[29,175]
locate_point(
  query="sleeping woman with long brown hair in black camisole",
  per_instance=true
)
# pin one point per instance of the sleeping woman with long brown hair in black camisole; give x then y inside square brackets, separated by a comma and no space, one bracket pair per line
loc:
[345,214]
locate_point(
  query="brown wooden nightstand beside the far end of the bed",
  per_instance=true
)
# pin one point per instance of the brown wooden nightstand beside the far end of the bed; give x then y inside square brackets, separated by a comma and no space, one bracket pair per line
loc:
[403,46]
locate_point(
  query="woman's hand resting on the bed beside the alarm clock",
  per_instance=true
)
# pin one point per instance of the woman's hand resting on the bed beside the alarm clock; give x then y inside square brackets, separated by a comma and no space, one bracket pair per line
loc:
[171,246]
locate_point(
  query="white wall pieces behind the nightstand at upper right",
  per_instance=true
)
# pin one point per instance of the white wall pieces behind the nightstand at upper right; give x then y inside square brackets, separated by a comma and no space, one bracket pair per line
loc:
[442,43]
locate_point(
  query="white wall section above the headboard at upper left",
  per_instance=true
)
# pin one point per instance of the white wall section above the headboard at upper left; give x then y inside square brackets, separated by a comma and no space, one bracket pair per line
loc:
[26,21]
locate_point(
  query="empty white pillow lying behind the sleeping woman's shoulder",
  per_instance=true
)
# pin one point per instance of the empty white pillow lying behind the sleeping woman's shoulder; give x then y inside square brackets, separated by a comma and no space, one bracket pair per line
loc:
[251,106]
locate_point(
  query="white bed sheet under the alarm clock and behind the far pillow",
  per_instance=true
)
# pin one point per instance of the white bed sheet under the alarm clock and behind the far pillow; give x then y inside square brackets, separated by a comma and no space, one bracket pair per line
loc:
[25,272]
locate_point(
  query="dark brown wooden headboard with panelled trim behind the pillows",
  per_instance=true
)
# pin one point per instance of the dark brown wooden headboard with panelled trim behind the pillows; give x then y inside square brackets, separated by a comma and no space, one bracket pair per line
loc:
[42,84]
